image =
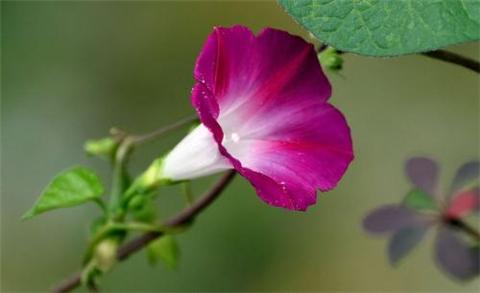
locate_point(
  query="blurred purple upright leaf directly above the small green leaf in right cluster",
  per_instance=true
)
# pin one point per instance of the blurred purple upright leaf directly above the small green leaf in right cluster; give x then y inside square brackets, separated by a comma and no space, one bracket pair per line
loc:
[423,173]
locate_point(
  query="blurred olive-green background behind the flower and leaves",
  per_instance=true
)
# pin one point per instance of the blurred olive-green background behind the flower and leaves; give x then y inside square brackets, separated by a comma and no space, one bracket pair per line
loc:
[71,70]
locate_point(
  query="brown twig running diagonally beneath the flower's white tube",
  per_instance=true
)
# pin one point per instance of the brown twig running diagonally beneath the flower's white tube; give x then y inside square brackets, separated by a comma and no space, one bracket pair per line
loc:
[180,219]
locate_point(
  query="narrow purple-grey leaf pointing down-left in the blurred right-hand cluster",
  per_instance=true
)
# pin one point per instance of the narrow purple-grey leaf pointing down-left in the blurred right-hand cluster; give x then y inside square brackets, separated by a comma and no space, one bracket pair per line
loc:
[404,241]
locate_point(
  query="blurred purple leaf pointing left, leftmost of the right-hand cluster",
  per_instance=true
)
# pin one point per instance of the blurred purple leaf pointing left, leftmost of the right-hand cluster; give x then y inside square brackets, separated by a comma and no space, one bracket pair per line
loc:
[391,218]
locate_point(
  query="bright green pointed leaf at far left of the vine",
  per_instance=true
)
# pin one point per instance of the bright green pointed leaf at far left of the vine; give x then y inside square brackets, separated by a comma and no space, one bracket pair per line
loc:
[71,187]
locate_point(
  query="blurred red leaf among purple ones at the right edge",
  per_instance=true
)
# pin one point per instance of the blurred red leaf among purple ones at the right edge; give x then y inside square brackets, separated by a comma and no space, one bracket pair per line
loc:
[463,204]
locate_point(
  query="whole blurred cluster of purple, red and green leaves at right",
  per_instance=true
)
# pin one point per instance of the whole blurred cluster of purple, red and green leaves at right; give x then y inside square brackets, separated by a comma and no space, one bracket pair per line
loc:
[423,209]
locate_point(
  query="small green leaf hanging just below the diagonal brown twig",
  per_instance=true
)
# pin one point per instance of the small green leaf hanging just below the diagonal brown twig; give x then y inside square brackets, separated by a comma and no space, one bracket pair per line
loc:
[164,249]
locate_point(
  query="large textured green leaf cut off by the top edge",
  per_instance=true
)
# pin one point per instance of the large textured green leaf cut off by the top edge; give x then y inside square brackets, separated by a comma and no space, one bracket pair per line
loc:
[388,28]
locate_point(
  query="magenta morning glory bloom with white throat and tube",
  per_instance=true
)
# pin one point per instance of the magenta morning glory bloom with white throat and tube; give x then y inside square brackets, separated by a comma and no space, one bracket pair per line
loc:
[263,105]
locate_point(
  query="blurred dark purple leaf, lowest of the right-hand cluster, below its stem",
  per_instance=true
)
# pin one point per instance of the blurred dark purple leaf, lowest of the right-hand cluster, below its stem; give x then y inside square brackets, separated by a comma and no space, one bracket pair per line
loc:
[455,256]
